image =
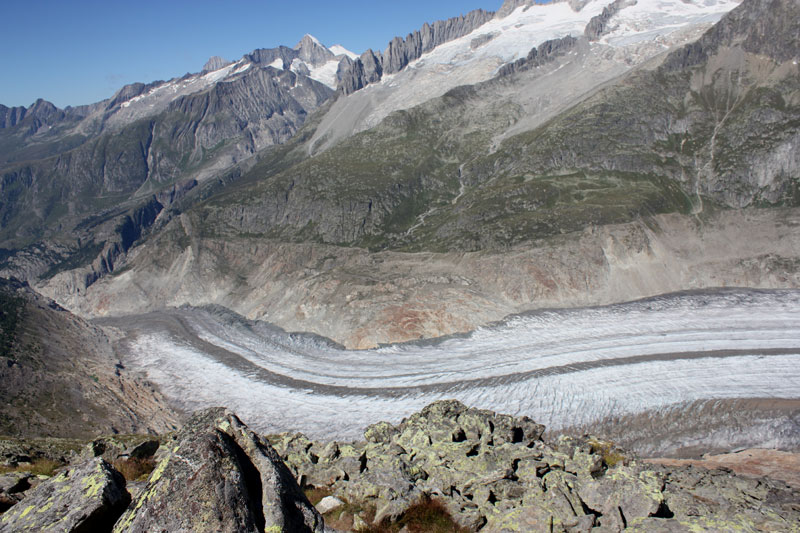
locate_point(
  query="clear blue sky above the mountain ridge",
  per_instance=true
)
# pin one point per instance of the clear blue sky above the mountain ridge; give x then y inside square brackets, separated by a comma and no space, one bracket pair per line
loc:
[74,52]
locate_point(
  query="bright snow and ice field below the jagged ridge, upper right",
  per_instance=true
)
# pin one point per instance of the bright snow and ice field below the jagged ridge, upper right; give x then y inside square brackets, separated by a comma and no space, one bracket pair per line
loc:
[636,31]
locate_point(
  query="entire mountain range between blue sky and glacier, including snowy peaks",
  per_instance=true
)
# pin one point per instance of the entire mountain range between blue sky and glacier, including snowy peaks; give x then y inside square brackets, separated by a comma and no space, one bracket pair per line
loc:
[569,153]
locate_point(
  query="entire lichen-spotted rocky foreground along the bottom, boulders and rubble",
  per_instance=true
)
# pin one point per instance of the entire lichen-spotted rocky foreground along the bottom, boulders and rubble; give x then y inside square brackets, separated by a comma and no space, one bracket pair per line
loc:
[447,468]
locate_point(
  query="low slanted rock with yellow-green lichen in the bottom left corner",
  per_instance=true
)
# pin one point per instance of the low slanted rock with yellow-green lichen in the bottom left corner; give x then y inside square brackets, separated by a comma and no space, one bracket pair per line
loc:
[87,497]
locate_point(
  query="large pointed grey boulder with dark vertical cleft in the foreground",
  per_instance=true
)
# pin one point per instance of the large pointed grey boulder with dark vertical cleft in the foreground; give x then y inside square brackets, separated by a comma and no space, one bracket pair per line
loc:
[220,476]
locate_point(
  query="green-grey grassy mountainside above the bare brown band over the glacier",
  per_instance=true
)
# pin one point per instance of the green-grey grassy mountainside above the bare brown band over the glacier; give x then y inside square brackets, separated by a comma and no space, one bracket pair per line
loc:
[465,188]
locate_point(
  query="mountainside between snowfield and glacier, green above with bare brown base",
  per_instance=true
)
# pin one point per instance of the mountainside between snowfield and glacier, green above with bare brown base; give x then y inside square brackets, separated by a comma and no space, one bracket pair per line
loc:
[598,203]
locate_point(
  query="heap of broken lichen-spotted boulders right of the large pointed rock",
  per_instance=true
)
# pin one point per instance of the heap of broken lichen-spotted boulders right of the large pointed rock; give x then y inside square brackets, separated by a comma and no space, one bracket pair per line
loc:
[495,474]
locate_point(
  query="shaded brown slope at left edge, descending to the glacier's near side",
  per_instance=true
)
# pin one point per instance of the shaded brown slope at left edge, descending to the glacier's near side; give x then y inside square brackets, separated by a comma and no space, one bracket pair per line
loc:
[60,376]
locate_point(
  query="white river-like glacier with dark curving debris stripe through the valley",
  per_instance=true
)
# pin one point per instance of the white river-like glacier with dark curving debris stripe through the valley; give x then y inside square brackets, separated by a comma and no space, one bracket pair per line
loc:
[558,367]
